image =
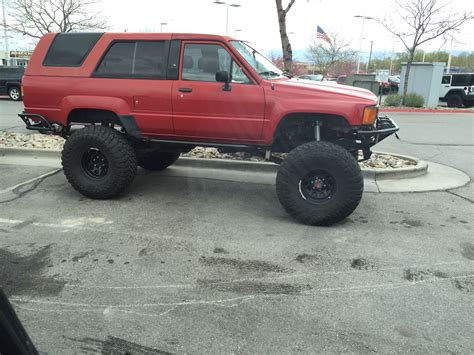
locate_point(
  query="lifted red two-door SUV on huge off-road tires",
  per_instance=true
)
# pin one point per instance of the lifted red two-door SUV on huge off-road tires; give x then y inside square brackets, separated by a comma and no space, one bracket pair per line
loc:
[145,98]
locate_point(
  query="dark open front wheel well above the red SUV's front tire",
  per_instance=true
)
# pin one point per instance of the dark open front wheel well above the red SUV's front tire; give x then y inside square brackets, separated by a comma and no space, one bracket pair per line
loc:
[298,128]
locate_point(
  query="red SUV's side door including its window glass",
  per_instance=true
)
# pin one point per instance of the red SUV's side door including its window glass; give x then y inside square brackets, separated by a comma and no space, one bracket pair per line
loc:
[203,108]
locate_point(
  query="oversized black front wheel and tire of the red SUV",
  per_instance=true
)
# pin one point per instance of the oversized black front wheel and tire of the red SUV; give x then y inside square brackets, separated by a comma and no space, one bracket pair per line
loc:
[319,183]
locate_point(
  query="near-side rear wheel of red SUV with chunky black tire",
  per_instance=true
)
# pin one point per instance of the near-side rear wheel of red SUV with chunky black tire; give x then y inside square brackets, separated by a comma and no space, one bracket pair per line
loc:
[99,162]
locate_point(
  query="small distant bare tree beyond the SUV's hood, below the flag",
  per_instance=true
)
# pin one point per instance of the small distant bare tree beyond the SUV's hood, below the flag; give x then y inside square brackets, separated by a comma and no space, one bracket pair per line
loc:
[326,56]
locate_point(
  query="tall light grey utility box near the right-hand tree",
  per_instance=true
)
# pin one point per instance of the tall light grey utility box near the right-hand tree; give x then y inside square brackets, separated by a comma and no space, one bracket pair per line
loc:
[424,80]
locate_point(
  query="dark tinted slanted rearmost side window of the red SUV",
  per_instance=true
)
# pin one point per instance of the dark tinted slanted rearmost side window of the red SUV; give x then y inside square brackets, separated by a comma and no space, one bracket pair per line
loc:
[70,49]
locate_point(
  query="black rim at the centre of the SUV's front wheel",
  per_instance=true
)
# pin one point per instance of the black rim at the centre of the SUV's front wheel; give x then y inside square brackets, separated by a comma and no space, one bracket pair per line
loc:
[317,186]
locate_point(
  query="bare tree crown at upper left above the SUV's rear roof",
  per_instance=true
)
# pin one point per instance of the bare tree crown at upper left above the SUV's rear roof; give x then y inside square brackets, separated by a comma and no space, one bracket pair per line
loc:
[33,18]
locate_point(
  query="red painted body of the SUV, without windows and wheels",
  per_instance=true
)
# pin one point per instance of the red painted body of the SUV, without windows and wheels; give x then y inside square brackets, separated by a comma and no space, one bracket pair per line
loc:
[161,110]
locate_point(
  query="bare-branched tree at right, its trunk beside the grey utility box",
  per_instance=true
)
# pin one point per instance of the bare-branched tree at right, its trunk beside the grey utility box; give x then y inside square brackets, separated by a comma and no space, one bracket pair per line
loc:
[420,21]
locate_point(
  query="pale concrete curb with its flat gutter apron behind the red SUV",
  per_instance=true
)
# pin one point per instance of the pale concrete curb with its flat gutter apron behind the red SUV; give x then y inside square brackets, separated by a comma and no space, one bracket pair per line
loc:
[436,178]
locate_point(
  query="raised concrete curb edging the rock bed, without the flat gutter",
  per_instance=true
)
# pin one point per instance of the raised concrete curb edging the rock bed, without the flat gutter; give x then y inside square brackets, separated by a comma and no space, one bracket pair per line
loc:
[47,155]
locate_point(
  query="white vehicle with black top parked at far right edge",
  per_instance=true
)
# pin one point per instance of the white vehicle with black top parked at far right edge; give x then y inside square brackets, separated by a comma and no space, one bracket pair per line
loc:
[457,89]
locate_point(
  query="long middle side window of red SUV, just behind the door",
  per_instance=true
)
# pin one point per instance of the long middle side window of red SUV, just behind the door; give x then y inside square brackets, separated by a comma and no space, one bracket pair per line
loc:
[136,59]
